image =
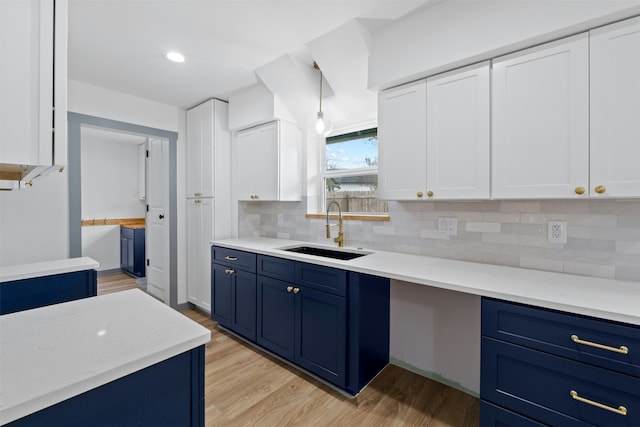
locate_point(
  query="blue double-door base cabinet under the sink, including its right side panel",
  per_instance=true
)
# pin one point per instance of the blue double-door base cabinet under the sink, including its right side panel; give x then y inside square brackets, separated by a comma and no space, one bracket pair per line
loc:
[332,323]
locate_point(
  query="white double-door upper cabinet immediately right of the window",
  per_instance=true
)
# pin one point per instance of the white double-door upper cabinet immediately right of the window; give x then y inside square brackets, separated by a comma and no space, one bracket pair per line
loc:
[434,137]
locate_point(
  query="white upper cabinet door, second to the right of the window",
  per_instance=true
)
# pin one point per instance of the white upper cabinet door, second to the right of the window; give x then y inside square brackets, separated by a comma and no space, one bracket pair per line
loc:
[458,135]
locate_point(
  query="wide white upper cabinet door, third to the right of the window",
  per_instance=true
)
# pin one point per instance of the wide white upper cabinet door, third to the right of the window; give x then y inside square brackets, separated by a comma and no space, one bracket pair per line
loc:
[540,142]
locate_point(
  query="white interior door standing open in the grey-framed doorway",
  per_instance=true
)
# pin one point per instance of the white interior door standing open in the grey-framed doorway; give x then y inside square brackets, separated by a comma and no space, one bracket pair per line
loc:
[157,221]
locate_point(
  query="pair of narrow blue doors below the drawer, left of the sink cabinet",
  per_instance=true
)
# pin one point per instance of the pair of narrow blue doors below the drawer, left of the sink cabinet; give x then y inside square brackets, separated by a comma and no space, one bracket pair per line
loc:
[233,299]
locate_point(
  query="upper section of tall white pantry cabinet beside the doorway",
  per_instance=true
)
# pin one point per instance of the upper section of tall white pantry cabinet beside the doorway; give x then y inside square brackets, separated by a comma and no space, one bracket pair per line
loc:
[208,149]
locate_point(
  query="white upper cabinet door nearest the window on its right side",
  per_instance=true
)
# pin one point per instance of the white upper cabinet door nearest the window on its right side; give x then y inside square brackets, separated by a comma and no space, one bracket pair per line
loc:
[402,142]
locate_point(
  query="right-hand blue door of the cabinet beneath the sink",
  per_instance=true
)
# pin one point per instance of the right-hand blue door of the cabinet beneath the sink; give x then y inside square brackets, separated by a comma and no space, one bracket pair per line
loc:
[320,334]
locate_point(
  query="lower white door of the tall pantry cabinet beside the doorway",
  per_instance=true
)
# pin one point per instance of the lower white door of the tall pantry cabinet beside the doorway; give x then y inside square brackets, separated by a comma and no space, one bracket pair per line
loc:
[199,234]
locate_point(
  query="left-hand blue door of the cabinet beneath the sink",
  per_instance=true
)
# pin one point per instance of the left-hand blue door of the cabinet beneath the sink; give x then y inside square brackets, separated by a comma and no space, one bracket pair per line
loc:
[276,316]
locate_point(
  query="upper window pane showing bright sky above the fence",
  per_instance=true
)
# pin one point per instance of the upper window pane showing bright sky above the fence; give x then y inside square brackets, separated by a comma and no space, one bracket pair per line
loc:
[361,152]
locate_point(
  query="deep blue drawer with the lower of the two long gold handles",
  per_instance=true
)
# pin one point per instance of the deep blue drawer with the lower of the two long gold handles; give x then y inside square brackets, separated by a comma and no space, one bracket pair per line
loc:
[540,385]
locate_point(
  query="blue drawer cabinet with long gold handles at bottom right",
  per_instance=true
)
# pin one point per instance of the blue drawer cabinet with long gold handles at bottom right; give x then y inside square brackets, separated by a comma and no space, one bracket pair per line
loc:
[556,368]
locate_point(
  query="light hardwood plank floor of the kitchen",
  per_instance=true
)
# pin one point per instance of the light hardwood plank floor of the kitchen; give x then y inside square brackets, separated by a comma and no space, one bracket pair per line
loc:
[246,387]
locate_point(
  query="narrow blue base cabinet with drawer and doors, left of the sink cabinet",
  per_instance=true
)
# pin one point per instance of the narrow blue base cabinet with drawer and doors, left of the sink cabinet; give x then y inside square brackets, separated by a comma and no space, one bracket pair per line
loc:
[233,290]
